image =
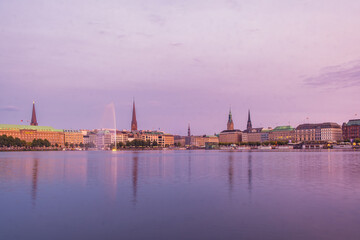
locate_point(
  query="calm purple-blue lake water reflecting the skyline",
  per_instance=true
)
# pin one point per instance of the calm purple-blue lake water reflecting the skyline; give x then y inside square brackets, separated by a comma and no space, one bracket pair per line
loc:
[180,195]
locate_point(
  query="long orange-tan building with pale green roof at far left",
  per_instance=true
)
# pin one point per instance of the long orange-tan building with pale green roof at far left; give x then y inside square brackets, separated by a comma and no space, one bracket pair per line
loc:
[29,133]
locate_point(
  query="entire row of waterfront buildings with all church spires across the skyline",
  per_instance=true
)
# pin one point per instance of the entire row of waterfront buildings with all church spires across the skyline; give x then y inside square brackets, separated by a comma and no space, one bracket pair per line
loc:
[104,138]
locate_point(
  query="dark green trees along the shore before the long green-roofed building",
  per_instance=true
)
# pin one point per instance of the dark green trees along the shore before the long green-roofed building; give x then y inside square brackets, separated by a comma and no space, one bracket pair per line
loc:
[10,141]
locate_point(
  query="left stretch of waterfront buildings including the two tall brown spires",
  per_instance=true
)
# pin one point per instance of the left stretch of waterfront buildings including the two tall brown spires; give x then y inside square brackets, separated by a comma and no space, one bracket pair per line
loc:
[97,138]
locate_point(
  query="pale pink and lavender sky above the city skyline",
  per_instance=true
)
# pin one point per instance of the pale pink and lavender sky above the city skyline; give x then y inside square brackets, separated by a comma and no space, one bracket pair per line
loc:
[184,62]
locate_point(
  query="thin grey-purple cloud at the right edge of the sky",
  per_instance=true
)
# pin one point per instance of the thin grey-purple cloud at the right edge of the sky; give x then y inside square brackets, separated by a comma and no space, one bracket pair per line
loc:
[339,76]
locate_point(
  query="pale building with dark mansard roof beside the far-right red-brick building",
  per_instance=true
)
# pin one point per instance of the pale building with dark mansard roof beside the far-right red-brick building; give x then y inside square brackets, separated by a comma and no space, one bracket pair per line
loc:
[318,132]
